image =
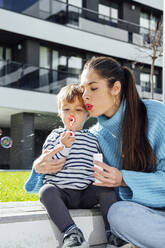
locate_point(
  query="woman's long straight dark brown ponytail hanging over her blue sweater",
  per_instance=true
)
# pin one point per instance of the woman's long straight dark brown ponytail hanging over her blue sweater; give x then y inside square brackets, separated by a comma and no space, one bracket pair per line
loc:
[137,152]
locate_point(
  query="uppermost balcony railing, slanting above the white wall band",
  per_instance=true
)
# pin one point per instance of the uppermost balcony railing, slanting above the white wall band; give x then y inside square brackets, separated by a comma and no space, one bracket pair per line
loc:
[84,19]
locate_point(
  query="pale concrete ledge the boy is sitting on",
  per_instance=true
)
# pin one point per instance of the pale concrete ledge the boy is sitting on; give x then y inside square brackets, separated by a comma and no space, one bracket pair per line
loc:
[26,224]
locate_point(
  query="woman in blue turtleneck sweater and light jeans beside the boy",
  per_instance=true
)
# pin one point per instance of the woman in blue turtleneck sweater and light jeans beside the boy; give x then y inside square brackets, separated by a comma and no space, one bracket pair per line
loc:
[131,133]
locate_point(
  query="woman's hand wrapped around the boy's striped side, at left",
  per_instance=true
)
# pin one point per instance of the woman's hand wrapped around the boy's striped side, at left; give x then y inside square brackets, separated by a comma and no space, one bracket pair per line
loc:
[45,164]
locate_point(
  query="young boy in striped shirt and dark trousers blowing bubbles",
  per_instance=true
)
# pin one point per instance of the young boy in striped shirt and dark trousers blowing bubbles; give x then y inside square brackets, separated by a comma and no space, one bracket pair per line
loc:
[72,186]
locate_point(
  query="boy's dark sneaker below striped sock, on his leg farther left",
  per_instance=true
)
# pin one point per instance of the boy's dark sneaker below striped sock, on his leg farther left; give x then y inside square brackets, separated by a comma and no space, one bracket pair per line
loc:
[74,238]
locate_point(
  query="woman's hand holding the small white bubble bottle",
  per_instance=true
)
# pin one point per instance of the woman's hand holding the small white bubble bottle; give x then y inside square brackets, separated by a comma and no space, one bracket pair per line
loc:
[107,175]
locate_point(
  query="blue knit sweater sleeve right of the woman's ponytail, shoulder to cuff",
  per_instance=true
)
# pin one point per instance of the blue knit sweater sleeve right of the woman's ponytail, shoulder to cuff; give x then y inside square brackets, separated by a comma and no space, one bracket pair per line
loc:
[148,188]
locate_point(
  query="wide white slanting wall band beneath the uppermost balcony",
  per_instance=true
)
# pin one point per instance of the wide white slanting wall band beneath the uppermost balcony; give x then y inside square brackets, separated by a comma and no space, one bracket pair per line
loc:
[73,37]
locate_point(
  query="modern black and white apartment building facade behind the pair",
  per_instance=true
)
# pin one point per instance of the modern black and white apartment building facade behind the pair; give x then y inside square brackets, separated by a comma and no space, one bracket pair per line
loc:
[43,47]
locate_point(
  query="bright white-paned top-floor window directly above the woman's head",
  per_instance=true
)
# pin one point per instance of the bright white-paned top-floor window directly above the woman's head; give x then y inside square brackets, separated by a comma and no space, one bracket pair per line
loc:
[108,13]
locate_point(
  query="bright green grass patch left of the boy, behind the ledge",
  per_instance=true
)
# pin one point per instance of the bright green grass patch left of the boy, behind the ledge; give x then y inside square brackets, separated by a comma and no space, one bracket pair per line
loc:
[11,187]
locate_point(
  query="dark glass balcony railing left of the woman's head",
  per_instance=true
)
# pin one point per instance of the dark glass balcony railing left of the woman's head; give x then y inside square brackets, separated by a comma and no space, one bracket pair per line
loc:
[28,77]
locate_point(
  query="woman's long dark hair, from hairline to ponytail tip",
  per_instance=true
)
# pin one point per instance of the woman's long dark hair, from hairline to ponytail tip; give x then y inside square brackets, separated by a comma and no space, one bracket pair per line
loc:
[137,153]
